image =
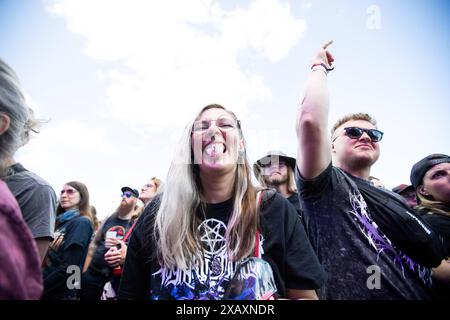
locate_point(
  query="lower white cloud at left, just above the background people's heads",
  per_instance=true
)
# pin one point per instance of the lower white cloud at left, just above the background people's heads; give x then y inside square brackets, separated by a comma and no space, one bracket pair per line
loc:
[72,150]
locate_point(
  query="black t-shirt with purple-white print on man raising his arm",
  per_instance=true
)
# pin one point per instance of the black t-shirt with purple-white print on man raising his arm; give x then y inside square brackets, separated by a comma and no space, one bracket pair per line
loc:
[352,249]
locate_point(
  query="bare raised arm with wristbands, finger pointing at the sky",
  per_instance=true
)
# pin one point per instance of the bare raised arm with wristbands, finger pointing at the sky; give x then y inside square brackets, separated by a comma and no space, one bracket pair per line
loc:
[314,149]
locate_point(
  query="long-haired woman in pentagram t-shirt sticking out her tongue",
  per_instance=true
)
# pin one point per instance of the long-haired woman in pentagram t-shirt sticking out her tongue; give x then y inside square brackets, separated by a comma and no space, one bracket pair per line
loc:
[204,237]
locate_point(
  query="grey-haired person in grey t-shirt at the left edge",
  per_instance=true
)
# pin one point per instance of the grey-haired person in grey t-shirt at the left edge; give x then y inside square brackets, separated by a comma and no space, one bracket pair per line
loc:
[36,198]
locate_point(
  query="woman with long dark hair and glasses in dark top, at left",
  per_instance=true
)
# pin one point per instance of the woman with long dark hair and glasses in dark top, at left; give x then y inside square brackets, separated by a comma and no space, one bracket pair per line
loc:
[69,248]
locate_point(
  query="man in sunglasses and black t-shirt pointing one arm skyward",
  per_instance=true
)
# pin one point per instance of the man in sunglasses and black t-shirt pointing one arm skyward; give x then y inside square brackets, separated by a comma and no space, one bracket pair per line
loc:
[341,205]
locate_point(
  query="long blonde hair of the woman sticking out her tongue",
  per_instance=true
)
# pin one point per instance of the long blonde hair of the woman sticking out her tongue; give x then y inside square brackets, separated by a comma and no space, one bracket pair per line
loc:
[176,221]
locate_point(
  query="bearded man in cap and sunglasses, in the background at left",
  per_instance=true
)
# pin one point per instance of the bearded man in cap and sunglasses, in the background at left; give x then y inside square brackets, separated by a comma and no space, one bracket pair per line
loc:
[111,233]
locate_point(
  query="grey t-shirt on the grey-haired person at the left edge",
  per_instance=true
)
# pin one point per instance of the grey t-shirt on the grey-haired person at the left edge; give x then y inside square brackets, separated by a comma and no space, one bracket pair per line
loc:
[36,198]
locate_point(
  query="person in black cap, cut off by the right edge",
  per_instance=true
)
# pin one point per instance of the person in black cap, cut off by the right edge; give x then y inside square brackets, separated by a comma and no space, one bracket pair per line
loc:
[430,177]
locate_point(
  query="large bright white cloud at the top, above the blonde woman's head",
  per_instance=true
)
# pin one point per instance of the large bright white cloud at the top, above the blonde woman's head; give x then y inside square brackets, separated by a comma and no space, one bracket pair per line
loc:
[164,60]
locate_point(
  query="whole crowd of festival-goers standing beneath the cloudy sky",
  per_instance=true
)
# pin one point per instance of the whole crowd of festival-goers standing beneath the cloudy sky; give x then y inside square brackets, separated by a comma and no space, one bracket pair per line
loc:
[317,226]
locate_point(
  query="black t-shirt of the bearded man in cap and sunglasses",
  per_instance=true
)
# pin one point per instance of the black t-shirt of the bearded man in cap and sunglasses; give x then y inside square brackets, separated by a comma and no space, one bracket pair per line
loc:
[113,227]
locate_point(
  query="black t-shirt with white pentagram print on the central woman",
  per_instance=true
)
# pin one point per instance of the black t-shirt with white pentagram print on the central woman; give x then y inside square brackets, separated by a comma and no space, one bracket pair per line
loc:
[284,245]
